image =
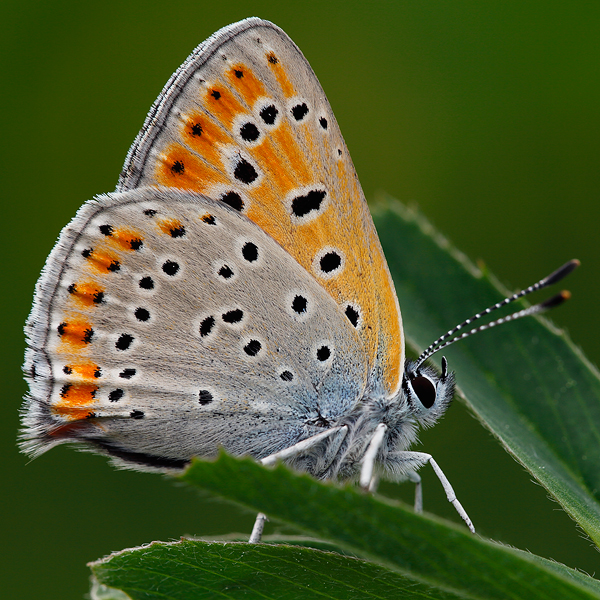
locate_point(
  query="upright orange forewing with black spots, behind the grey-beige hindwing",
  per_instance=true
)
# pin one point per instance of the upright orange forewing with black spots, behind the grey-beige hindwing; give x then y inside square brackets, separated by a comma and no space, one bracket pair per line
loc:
[246,122]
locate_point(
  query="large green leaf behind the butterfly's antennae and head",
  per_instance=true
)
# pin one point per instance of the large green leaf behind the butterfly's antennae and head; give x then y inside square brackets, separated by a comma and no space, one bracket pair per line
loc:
[526,381]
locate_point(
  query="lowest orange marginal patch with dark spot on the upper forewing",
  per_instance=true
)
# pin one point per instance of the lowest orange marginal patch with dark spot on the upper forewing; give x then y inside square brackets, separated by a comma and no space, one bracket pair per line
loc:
[180,168]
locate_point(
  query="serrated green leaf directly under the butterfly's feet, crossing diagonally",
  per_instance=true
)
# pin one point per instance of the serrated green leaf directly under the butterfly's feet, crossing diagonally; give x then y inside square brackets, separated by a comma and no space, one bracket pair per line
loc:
[427,550]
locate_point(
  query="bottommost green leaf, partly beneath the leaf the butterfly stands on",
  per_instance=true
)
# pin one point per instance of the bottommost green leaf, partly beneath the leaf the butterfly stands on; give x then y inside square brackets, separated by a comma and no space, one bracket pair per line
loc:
[192,569]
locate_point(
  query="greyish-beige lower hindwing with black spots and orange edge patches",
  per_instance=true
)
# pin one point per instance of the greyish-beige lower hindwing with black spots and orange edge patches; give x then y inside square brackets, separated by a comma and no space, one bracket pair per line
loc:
[151,351]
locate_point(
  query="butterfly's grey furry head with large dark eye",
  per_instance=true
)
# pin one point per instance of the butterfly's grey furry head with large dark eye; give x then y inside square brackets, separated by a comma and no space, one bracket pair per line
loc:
[428,393]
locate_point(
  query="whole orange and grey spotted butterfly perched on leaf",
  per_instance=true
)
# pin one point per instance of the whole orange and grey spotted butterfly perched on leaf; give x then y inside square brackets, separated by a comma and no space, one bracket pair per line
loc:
[232,292]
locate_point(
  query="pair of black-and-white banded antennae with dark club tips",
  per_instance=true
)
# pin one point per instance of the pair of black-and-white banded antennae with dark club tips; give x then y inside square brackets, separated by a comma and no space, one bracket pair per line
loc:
[450,337]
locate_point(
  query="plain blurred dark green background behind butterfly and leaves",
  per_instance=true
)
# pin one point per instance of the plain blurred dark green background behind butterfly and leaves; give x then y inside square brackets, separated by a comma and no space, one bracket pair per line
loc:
[484,114]
